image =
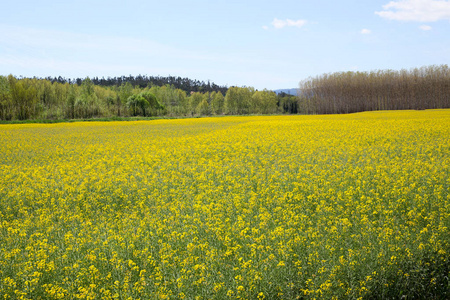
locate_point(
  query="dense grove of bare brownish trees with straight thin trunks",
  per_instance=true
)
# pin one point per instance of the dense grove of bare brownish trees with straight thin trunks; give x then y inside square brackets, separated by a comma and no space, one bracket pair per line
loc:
[347,92]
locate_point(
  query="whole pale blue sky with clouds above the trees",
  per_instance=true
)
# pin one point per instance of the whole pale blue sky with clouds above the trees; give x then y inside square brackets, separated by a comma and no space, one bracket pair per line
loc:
[263,44]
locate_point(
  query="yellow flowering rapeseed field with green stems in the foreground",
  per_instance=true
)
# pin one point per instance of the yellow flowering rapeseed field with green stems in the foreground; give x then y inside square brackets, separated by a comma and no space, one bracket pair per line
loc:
[260,207]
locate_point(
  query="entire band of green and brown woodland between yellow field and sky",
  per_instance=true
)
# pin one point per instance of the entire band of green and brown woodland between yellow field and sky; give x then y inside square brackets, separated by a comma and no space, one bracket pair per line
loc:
[345,92]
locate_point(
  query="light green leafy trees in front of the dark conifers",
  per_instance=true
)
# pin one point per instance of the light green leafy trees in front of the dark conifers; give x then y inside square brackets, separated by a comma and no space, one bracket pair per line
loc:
[34,98]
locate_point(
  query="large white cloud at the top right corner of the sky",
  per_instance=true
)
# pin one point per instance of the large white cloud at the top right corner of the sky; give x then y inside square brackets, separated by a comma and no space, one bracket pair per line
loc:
[416,10]
